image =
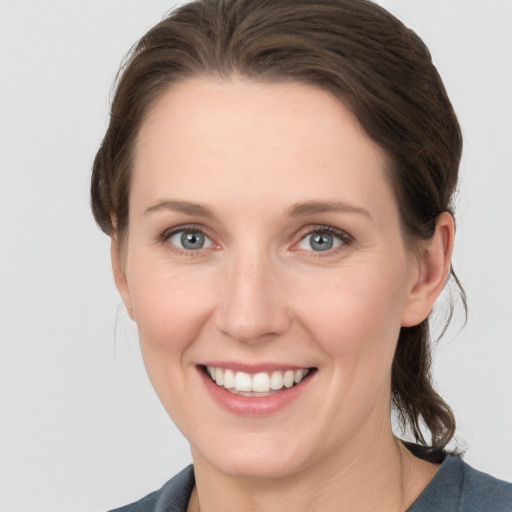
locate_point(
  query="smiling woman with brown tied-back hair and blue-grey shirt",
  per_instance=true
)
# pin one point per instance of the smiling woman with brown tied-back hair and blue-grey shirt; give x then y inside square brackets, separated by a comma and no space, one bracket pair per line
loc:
[277,180]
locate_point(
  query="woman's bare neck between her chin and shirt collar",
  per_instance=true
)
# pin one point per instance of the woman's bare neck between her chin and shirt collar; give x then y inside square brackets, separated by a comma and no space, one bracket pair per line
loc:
[380,475]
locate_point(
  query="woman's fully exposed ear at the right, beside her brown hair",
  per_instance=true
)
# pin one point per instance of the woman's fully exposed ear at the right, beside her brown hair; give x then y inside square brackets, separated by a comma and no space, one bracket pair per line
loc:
[433,267]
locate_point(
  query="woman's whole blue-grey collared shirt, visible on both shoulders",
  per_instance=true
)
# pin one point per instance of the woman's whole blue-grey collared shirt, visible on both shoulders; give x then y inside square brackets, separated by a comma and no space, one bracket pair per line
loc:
[456,487]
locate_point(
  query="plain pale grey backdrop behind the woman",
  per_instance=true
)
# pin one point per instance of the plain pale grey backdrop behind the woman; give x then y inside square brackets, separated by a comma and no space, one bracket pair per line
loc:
[80,427]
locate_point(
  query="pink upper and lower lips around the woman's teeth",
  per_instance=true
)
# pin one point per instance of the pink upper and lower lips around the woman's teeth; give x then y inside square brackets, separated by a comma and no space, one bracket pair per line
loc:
[253,406]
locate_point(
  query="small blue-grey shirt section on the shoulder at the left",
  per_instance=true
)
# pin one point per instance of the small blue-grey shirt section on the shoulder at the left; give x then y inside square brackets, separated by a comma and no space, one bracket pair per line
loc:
[172,497]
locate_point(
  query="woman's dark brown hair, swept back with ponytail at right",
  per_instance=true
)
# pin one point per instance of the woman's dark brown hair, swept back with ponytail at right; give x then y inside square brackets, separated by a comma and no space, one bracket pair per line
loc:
[364,56]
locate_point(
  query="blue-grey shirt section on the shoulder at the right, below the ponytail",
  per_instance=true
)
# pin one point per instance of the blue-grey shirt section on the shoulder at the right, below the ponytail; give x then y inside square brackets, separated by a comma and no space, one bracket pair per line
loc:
[457,487]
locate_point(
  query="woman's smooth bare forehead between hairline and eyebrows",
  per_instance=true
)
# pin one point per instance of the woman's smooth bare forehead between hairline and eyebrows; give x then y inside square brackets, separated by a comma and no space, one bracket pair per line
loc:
[208,139]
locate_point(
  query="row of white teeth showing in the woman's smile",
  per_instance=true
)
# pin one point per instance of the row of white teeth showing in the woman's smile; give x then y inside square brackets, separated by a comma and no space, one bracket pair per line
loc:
[262,382]
